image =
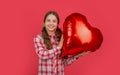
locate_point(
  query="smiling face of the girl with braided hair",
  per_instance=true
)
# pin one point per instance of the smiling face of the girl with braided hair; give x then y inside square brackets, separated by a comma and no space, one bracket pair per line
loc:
[51,23]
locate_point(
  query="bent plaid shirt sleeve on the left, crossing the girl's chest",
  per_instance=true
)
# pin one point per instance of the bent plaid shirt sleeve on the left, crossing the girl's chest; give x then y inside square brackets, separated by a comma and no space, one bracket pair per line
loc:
[42,52]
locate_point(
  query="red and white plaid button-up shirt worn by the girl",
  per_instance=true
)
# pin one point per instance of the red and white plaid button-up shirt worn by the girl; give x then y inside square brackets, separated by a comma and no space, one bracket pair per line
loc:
[49,61]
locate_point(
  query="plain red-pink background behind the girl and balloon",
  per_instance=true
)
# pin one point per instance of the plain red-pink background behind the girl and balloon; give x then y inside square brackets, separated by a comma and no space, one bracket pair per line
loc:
[21,20]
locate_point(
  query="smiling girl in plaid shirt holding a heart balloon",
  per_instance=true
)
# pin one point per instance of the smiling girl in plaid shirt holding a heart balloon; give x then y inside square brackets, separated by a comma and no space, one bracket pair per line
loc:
[48,47]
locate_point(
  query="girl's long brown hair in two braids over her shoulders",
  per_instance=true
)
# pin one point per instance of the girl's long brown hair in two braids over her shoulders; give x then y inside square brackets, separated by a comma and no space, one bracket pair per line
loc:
[45,35]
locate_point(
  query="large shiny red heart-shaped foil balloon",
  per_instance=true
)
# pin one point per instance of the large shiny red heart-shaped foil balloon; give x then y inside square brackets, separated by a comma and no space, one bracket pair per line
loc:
[79,35]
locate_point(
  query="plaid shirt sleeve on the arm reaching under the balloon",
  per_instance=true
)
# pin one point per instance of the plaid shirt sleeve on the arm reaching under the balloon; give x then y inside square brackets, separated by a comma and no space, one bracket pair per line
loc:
[69,60]
